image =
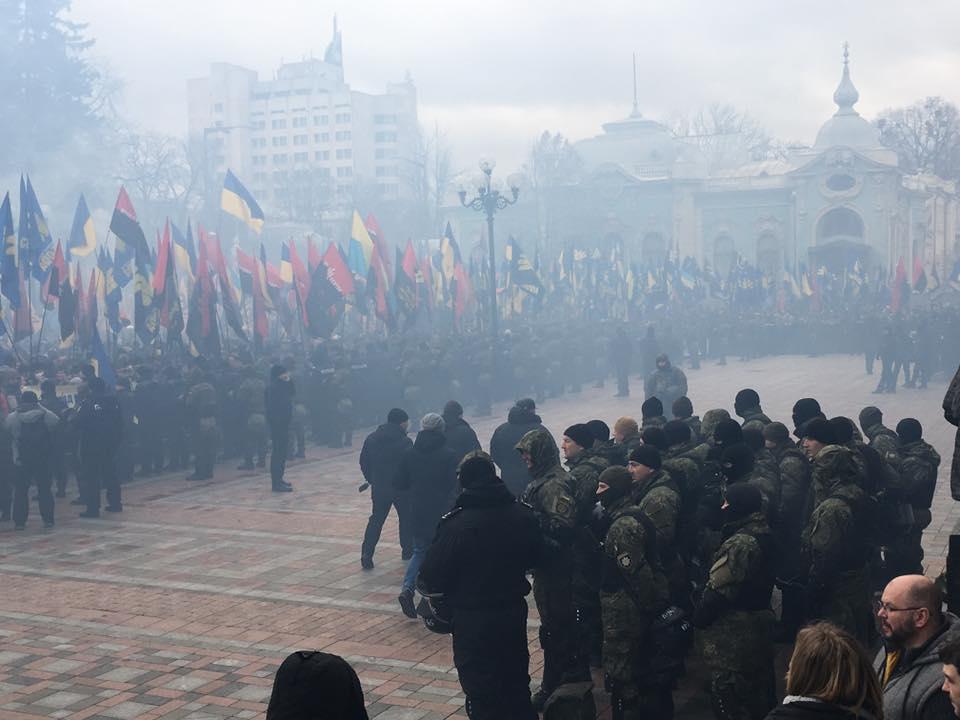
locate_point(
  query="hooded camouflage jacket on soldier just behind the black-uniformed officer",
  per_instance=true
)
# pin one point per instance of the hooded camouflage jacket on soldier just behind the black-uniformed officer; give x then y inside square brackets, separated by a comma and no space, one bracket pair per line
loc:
[550,492]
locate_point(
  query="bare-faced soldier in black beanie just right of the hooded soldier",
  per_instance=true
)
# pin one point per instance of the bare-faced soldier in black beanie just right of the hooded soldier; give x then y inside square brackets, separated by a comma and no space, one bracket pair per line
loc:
[585,465]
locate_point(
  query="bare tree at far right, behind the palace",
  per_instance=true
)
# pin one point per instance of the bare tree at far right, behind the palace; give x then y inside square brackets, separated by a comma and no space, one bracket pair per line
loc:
[926,136]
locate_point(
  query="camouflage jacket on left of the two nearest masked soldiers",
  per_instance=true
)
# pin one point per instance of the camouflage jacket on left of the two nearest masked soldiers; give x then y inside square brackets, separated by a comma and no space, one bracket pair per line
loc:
[631,571]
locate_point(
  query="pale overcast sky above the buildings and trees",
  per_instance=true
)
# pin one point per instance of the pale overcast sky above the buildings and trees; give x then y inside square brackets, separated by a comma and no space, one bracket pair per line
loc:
[495,74]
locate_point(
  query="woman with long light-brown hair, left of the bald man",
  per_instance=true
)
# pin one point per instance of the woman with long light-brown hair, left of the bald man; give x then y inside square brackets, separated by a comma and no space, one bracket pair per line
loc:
[830,678]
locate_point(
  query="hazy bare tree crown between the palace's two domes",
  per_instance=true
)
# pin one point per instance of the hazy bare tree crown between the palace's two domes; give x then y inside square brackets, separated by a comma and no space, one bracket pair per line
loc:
[726,136]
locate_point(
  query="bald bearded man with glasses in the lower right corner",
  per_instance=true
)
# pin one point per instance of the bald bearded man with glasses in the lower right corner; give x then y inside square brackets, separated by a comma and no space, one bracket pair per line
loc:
[914,628]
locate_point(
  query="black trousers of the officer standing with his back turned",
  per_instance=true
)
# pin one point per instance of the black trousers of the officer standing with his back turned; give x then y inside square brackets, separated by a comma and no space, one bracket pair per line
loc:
[493,662]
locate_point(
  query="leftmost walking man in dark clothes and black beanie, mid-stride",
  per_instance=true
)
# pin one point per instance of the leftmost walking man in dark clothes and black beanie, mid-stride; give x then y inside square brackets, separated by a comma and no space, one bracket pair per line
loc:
[379,458]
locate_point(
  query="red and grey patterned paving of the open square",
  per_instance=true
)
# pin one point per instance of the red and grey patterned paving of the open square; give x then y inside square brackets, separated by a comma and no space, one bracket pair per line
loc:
[184,605]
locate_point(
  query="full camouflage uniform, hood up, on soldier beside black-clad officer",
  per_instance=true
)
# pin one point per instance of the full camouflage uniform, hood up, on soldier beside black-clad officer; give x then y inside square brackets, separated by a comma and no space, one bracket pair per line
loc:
[551,495]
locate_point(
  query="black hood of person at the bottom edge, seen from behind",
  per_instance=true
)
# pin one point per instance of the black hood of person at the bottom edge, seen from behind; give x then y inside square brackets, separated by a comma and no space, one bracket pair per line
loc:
[316,685]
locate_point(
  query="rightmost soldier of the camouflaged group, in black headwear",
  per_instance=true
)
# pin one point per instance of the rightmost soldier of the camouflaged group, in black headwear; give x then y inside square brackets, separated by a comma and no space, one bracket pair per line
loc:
[919,476]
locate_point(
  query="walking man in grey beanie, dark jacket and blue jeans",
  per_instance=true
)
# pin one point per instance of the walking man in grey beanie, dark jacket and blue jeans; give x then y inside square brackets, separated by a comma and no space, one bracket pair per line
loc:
[428,473]
